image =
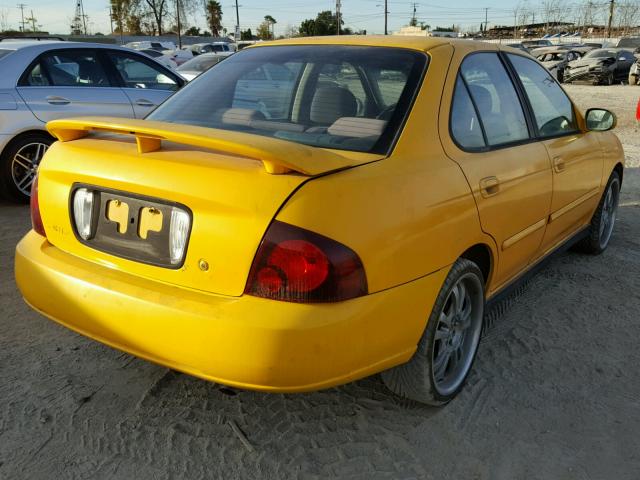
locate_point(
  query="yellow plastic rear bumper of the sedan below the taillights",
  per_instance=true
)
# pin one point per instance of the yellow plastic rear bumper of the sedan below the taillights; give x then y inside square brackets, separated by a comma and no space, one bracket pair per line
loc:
[245,341]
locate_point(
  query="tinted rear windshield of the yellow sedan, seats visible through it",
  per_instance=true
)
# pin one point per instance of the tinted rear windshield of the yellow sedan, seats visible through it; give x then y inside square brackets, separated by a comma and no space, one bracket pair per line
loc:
[342,97]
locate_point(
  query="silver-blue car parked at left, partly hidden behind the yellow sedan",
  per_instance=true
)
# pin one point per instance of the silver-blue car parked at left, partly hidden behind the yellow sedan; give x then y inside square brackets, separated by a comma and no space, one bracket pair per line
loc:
[45,80]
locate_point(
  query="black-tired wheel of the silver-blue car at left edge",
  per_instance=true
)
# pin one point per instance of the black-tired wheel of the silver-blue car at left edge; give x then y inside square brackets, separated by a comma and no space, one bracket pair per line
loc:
[19,162]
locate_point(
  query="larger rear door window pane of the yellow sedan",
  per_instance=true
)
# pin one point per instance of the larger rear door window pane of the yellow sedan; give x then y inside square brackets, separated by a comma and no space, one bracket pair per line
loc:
[496,99]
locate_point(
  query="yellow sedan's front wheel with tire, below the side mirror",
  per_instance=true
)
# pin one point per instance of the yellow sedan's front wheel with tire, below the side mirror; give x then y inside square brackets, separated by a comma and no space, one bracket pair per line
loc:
[600,229]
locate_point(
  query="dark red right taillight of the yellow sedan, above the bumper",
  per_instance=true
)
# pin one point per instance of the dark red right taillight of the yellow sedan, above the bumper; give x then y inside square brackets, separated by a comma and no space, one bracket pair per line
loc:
[297,265]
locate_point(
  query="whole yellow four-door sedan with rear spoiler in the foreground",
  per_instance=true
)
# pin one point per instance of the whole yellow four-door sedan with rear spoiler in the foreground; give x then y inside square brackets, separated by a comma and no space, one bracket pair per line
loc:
[313,211]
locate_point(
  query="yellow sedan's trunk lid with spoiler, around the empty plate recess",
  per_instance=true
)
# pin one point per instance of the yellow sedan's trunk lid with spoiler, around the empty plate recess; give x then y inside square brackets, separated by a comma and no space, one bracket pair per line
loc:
[226,180]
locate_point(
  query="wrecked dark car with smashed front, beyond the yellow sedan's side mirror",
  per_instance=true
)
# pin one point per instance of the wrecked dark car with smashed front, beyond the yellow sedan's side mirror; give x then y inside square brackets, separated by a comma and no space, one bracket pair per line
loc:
[604,65]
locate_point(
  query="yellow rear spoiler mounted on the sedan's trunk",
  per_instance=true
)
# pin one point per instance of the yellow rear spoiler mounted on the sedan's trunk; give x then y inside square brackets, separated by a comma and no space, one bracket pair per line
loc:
[277,156]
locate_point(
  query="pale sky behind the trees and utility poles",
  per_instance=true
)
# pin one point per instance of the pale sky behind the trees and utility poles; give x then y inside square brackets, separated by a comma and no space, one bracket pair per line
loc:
[55,15]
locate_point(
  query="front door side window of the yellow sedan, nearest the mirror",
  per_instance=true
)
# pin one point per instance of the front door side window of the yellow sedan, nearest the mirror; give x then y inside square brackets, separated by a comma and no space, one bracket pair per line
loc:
[551,107]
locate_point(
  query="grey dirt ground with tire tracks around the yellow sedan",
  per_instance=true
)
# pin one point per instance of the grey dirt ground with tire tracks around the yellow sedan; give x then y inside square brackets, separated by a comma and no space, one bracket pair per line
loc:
[555,391]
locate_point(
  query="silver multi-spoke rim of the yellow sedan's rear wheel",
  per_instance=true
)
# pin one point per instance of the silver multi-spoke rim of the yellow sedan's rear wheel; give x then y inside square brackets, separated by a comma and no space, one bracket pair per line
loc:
[457,334]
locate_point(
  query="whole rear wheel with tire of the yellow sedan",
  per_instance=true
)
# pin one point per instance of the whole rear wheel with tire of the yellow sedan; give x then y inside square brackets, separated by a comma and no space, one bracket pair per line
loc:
[439,368]
